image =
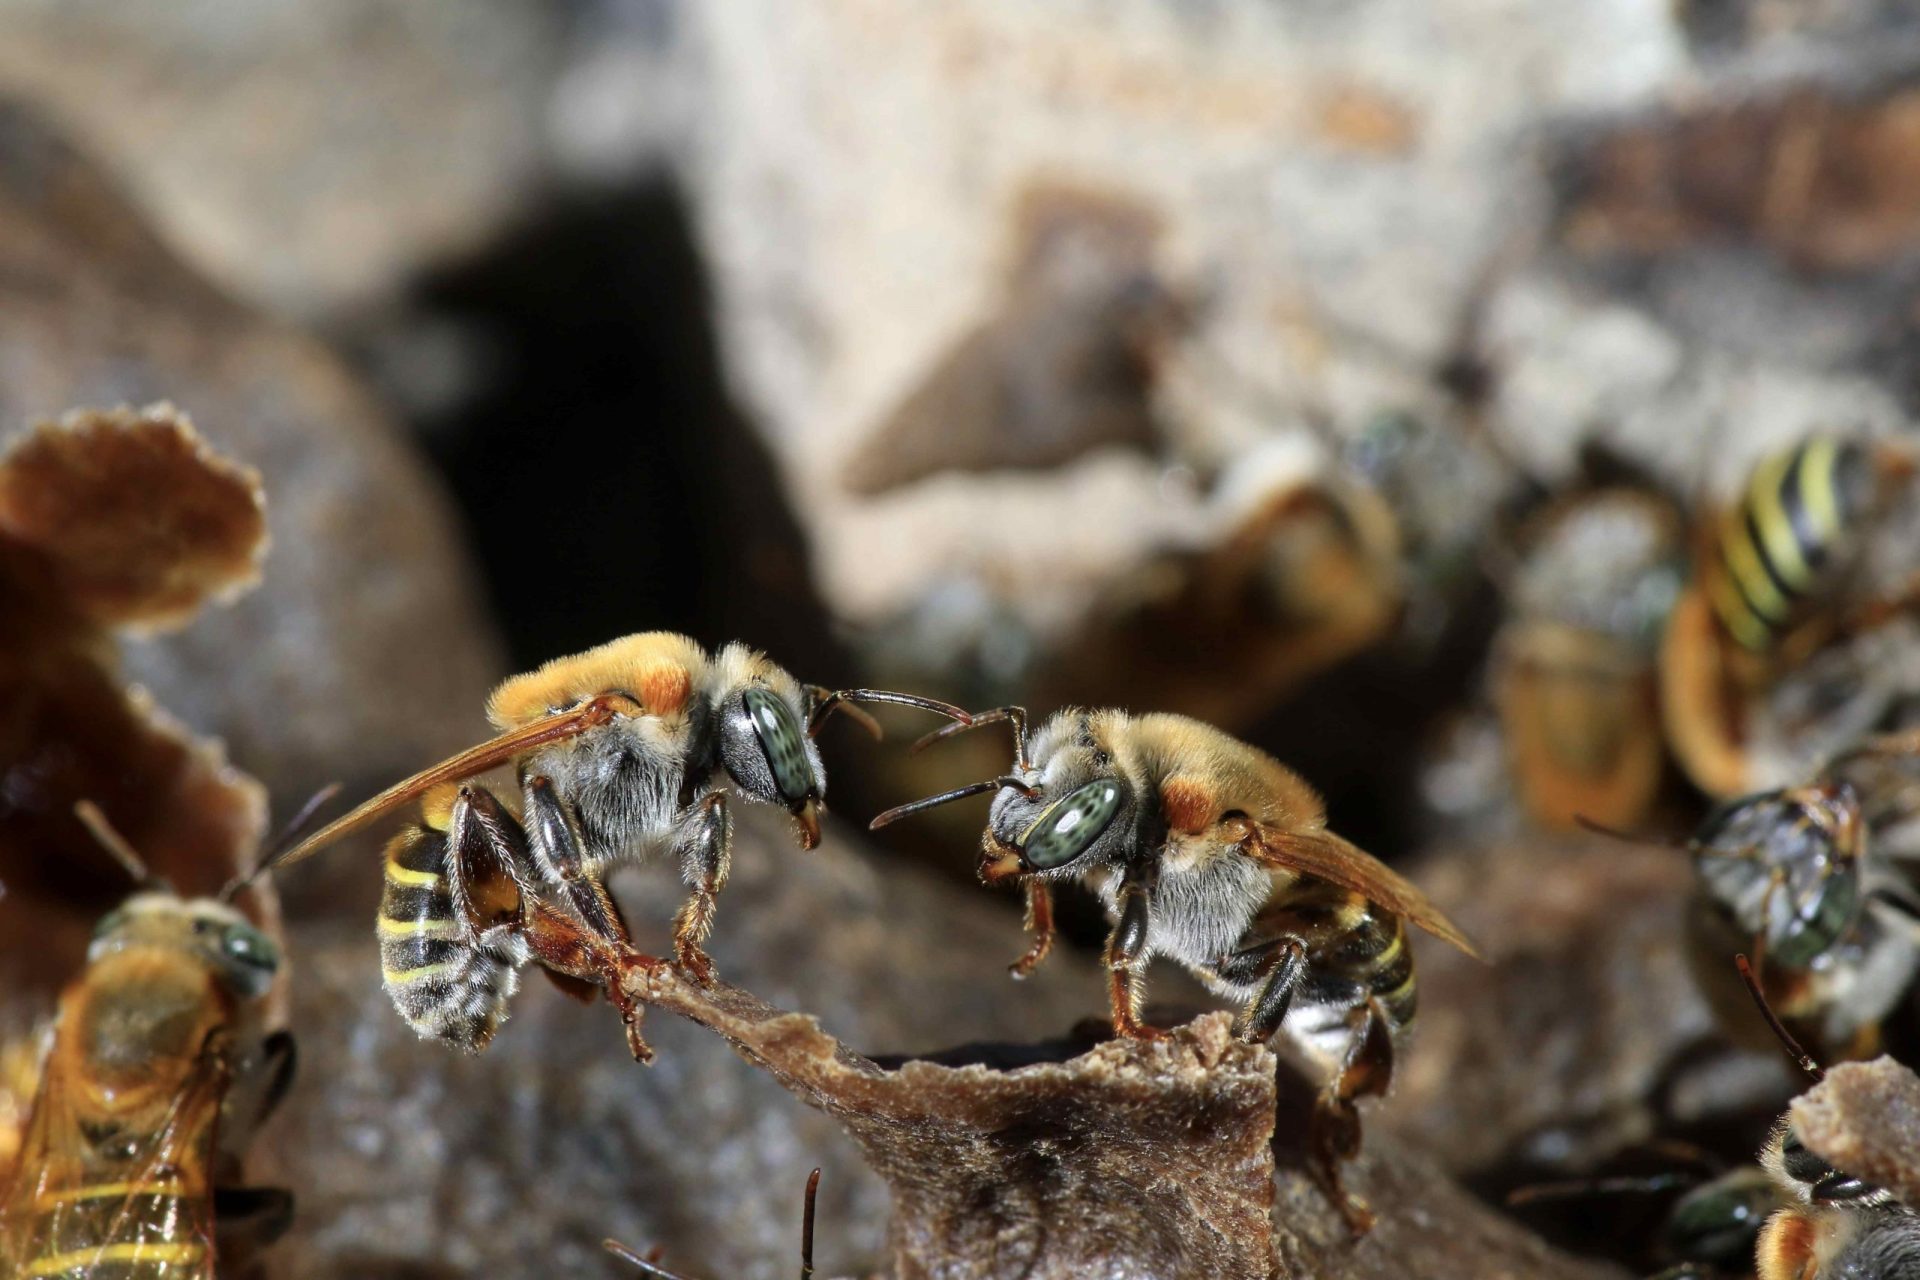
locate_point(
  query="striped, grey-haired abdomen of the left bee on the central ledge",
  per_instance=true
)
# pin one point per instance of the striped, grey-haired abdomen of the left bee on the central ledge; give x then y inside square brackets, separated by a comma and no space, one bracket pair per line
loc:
[448,982]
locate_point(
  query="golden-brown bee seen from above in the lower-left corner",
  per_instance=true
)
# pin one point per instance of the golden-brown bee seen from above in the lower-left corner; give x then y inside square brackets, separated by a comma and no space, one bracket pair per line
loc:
[158,1072]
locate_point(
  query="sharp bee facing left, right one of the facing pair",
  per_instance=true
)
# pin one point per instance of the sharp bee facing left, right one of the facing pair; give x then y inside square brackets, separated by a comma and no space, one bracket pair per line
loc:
[1211,853]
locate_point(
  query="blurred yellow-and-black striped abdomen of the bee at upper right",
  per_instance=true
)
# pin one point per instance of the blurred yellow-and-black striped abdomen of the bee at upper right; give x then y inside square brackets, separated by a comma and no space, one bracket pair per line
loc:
[1781,544]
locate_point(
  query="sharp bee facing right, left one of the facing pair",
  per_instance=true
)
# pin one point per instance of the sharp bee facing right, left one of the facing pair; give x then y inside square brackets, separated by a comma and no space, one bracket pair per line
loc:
[623,751]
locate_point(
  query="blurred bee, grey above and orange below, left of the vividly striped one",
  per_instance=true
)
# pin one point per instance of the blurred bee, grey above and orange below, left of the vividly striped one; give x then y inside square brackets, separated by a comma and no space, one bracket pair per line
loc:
[1575,663]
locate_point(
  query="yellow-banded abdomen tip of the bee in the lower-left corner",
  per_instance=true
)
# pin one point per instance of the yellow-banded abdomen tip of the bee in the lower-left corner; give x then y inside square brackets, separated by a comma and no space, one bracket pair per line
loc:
[122,1231]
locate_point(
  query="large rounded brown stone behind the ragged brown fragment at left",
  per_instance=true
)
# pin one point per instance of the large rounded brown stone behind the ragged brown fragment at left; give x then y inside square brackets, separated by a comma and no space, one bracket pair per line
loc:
[366,652]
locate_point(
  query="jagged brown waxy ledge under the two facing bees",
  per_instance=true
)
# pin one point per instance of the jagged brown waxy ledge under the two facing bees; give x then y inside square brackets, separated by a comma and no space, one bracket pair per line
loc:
[1132,1160]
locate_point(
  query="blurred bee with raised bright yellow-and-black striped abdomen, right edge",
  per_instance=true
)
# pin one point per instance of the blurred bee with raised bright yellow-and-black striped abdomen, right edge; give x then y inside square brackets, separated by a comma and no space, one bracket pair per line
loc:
[1771,588]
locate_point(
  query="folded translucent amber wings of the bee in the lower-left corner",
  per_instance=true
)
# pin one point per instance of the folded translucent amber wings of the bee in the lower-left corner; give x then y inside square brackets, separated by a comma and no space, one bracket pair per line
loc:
[164,1195]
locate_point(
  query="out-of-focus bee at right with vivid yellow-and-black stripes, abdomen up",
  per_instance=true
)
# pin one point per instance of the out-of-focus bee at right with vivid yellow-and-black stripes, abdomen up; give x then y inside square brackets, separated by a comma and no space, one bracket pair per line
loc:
[1777,588]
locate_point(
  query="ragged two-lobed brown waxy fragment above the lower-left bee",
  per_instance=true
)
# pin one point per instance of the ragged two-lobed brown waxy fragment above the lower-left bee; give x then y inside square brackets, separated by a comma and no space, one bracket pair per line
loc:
[110,519]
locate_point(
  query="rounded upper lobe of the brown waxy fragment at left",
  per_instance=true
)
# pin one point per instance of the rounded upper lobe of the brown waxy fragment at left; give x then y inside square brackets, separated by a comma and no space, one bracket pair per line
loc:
[137,519]
